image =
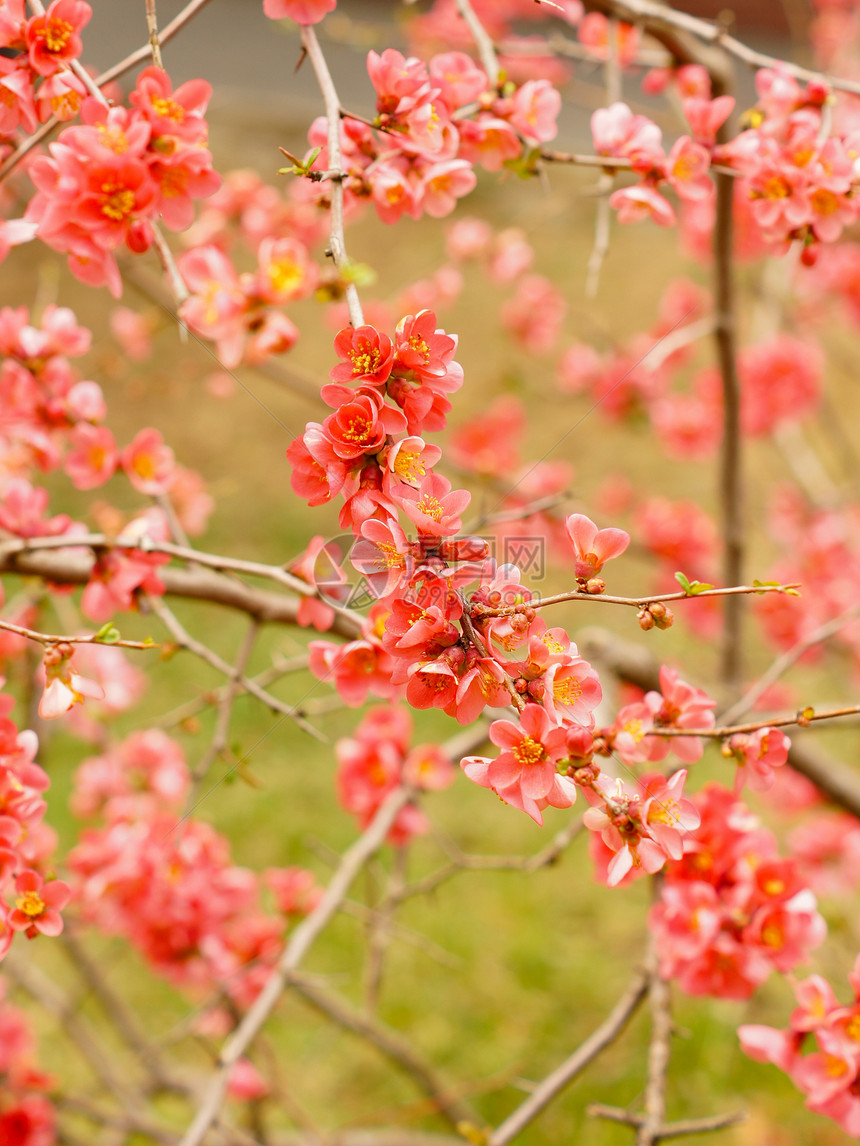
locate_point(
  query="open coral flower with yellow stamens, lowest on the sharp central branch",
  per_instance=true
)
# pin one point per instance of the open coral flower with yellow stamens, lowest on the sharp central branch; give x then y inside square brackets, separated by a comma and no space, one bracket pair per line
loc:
[530,753]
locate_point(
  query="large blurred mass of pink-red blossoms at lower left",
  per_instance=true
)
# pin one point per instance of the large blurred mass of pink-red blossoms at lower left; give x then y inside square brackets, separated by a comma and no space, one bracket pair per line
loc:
[169,885]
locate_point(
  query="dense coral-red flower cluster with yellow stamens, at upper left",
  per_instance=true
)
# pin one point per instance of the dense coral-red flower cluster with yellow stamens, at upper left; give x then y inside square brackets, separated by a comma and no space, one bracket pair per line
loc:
[108,180]
